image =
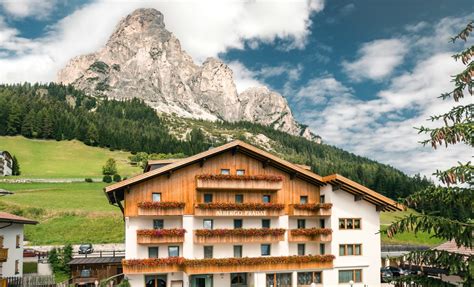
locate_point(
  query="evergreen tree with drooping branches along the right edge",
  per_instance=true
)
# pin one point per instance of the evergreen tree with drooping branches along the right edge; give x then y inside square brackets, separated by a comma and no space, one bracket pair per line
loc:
[447,211]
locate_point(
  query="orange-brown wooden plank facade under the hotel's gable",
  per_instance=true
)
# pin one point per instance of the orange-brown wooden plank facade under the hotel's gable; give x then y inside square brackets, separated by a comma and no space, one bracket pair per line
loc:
[181,185]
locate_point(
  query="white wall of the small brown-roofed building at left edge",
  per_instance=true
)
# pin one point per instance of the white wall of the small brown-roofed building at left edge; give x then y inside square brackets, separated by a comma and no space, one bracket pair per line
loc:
[9,241]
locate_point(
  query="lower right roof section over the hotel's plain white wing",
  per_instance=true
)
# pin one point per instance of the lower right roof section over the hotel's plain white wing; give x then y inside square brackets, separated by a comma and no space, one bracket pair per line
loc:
[366,193]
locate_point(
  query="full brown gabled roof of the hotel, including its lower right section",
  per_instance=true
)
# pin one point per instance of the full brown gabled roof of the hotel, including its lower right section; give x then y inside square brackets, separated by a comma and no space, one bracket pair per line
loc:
[115,191]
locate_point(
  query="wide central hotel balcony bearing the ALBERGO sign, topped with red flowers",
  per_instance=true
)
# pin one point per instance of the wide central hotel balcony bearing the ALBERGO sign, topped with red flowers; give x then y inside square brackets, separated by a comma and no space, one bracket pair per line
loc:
[239,209]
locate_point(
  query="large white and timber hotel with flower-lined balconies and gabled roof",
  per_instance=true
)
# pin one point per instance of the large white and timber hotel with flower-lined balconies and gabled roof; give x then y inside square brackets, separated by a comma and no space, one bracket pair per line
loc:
[238,216]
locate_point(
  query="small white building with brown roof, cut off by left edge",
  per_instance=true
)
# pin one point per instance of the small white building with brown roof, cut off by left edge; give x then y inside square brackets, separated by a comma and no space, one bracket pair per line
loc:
[11,244]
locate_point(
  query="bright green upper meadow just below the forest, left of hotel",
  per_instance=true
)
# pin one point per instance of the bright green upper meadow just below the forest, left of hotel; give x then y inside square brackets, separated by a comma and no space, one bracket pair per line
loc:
[63,159]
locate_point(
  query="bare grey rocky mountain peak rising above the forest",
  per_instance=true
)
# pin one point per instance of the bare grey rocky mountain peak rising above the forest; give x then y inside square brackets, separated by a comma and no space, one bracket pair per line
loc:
[144,60]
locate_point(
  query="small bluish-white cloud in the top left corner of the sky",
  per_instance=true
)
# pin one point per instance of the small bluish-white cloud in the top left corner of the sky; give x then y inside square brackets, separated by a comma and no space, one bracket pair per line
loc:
[28,8]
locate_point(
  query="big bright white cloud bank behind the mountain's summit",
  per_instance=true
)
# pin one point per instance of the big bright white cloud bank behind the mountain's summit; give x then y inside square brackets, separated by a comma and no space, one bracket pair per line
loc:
[205,28]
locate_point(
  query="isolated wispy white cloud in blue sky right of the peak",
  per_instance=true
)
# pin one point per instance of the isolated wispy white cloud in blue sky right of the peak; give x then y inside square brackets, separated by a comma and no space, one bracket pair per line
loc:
[376,59]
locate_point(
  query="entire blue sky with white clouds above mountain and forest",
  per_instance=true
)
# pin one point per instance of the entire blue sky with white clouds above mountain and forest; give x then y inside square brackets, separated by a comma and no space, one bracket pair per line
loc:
[360,73]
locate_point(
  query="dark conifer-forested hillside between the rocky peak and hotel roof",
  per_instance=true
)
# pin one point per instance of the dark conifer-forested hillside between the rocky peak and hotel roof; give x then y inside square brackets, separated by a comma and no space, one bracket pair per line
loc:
[63,113]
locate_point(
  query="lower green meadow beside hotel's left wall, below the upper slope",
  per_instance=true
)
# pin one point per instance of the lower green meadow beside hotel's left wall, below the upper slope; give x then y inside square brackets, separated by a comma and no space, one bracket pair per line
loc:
[68,212]
